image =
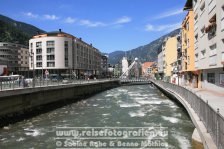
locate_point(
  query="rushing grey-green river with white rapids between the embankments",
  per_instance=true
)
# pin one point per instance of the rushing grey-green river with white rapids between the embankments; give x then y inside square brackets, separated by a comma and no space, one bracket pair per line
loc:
[137,116]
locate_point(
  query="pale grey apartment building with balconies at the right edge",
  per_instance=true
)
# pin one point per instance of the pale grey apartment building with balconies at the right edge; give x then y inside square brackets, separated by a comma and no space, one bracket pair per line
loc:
[209,41]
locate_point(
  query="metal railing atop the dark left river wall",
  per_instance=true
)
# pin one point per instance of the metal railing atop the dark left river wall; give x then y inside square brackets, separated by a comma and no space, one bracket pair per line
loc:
[12,85]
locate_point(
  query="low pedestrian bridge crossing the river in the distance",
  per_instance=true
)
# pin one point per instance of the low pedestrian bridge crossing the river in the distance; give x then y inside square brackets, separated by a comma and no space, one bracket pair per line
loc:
[134,81]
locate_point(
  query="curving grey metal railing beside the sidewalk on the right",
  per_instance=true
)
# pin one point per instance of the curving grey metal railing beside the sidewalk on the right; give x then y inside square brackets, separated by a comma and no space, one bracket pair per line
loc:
[212,119]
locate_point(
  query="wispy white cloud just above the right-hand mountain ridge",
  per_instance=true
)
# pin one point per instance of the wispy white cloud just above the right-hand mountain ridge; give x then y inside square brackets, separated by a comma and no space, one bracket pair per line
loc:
[159,28]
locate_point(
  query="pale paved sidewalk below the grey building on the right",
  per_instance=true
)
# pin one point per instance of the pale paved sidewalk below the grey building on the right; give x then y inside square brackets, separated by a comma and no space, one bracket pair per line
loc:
[215,98]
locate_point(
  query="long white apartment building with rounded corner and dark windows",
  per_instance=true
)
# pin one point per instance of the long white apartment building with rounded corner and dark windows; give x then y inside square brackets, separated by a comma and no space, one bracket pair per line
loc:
[61,53]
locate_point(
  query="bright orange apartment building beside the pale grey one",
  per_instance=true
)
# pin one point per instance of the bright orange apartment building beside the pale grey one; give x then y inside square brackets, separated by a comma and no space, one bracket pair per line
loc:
[189,75]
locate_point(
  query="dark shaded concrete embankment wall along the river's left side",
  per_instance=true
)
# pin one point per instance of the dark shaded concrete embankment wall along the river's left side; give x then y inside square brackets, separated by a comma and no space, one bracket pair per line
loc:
[22,101]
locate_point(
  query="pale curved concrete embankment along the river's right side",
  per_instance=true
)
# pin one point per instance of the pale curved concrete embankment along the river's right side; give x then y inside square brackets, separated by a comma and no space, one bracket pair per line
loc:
[200,138]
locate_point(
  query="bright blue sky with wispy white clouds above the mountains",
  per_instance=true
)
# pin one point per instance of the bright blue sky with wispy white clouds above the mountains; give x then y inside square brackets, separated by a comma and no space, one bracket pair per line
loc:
[110,25]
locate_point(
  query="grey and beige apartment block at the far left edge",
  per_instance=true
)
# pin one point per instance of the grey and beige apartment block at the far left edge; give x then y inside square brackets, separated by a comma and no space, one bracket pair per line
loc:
[15,57]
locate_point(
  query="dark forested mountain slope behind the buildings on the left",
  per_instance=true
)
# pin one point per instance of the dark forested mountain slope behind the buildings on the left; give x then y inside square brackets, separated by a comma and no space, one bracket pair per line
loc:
[28,29]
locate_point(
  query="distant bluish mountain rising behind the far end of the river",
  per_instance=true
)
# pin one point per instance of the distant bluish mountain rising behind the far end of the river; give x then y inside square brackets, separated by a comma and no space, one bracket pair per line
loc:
[144,53]
